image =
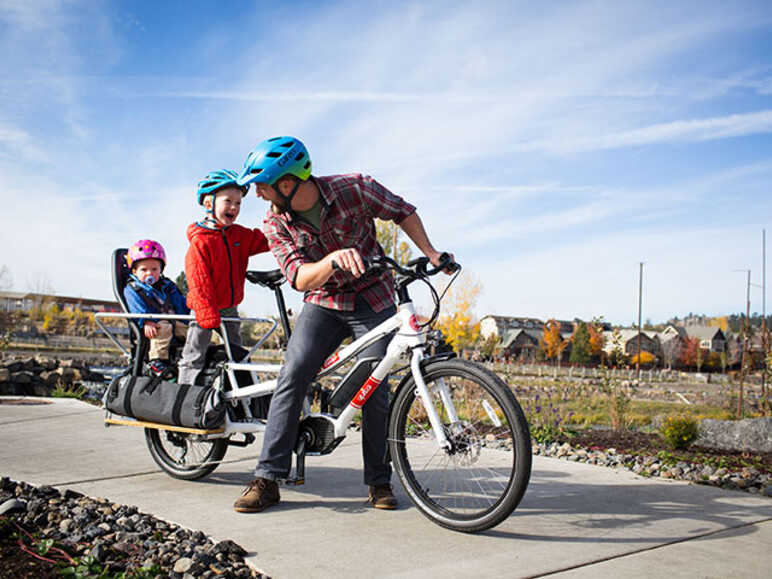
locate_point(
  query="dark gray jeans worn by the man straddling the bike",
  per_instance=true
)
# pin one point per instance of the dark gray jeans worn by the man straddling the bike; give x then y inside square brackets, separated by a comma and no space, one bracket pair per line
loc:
[318,333]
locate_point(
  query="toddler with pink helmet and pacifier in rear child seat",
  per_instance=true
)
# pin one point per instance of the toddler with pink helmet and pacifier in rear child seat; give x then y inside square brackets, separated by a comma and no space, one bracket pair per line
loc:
[148,291]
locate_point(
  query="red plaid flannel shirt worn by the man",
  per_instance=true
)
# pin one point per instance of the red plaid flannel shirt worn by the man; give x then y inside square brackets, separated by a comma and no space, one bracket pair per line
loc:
[349,205]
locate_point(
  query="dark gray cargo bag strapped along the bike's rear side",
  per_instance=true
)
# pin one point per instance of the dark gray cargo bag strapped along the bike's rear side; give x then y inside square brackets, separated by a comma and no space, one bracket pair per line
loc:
[155,400]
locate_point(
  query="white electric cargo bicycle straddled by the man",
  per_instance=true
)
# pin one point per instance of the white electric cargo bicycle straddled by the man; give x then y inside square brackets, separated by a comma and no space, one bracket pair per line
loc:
[457,436]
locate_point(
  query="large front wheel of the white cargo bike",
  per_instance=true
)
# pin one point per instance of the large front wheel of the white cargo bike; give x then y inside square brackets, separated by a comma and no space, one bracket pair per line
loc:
[477,482]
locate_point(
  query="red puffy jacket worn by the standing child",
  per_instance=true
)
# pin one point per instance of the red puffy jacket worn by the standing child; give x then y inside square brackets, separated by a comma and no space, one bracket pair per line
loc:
[215,267]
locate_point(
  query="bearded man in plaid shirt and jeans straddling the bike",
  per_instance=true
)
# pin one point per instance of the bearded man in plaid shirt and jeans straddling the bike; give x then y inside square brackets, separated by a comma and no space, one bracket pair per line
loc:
[320,229]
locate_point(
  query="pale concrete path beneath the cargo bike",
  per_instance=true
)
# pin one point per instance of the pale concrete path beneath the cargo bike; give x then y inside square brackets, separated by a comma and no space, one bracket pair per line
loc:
[576,520]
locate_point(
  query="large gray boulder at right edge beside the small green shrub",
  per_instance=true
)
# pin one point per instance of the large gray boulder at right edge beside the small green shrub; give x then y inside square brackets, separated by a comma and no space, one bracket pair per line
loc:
[751,434]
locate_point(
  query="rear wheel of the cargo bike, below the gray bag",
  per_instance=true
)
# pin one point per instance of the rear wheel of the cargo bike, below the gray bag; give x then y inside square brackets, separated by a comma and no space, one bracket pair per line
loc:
[182,456]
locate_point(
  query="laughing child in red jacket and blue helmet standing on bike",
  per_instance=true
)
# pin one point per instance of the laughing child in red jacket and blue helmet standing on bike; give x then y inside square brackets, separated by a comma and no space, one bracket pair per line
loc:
[215,267]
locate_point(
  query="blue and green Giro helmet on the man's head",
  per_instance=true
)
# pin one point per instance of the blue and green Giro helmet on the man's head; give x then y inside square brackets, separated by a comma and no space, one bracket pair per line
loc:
[274,158]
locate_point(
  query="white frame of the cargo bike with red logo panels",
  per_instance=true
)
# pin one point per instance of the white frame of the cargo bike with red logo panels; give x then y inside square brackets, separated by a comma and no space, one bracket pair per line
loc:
[408,336]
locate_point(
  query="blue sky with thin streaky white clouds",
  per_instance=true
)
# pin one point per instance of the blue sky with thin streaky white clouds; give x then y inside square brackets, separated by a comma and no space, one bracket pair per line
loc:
[550,146]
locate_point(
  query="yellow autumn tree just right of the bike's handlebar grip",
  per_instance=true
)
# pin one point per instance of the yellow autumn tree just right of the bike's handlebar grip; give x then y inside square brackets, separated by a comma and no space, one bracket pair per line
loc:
[456,321]
